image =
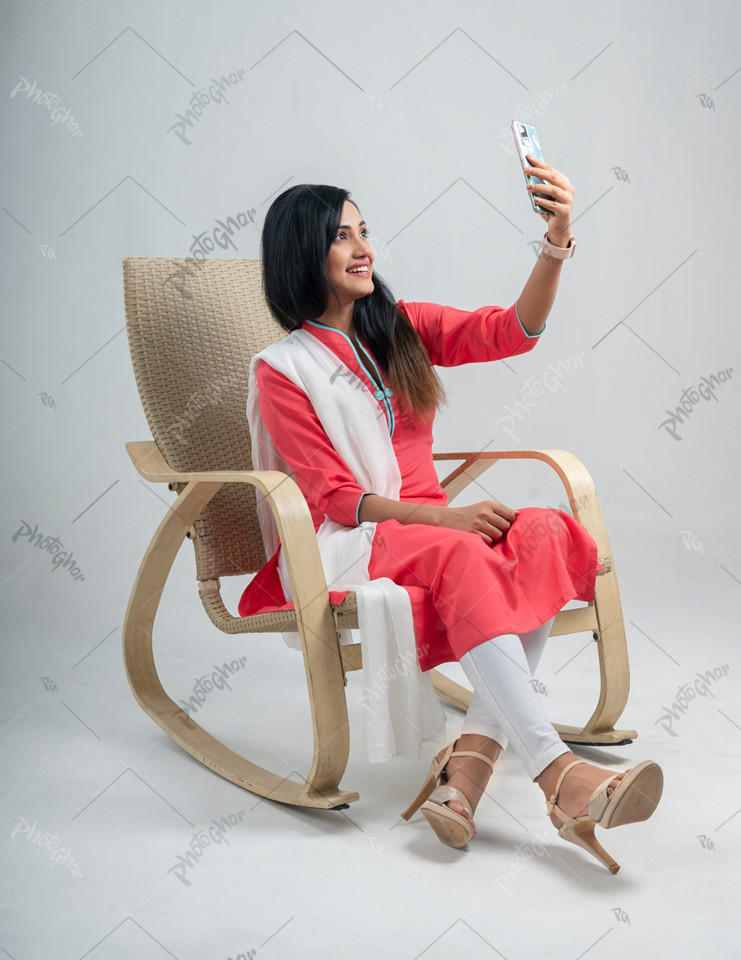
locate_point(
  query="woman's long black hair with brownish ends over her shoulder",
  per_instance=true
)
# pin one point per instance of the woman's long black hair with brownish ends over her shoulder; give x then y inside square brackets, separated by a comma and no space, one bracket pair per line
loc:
[299,229]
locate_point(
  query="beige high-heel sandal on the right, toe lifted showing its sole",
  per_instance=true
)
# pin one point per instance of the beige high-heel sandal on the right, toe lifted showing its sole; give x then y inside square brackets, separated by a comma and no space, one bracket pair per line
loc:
[635,798]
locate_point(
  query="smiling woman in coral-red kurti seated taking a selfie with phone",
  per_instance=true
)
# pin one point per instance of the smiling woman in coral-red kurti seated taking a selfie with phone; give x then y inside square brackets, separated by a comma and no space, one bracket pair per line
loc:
[480,594]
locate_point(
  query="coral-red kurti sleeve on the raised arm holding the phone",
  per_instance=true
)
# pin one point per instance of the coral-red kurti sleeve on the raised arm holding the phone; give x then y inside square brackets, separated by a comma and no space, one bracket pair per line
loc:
[453,337]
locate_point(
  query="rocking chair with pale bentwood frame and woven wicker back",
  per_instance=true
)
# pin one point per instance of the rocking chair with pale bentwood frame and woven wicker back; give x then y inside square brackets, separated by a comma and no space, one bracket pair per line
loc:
[192,327]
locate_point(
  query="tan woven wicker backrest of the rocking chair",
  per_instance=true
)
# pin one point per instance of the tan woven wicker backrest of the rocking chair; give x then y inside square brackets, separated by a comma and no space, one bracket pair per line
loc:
[193,327]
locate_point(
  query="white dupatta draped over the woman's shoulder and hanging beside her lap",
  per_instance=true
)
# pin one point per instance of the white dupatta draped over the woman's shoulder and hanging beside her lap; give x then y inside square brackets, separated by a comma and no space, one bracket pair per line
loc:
[400,707]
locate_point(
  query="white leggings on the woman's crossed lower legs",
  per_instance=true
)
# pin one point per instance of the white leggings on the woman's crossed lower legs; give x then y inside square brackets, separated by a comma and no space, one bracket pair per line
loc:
[505,705]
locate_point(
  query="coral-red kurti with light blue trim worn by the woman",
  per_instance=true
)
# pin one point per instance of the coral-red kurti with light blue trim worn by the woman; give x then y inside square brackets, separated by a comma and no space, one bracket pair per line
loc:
[463,590]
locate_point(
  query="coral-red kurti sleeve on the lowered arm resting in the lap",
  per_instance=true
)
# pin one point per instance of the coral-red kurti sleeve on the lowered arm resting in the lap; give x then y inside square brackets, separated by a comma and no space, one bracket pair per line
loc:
[323,476]
